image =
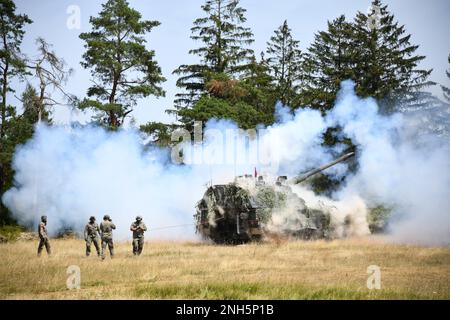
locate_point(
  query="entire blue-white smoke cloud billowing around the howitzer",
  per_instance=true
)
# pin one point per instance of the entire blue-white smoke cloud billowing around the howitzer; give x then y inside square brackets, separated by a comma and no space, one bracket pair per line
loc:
[70,174]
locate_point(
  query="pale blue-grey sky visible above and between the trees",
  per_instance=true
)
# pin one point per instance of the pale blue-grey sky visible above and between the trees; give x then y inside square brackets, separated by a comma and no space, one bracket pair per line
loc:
[427,21]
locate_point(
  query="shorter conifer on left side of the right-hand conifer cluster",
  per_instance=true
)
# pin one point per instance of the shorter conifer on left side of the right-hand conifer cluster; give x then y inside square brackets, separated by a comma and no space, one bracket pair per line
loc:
[327,63]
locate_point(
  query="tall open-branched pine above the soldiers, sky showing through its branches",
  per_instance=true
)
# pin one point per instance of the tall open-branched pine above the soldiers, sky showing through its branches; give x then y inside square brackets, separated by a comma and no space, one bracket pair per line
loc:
[123,69]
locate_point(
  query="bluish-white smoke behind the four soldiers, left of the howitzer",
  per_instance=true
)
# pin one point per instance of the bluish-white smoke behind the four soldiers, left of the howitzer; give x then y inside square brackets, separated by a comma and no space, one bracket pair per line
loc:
[70,175]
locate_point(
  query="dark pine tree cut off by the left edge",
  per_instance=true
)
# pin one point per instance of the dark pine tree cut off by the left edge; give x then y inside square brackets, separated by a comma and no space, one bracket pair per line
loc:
[12,64]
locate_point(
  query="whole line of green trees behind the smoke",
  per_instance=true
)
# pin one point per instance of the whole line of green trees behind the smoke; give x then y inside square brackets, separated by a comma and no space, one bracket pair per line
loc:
[228,81]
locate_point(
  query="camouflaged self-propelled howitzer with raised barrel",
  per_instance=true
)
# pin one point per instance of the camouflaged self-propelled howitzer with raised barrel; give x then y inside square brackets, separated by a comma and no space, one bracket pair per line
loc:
[242,211]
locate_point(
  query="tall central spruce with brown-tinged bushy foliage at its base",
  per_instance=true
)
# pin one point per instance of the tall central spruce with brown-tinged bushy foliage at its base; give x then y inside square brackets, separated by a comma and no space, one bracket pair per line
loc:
[228,83]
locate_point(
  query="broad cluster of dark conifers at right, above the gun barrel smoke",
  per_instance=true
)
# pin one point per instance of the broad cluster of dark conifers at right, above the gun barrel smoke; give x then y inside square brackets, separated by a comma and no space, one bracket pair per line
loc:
[379,58]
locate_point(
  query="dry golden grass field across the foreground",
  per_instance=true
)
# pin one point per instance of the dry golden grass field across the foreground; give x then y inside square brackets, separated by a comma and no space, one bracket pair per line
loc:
[175,270]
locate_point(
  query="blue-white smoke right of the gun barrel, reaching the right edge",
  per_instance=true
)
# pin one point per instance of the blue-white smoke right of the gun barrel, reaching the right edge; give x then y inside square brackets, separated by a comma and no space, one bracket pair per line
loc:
[398,168]
